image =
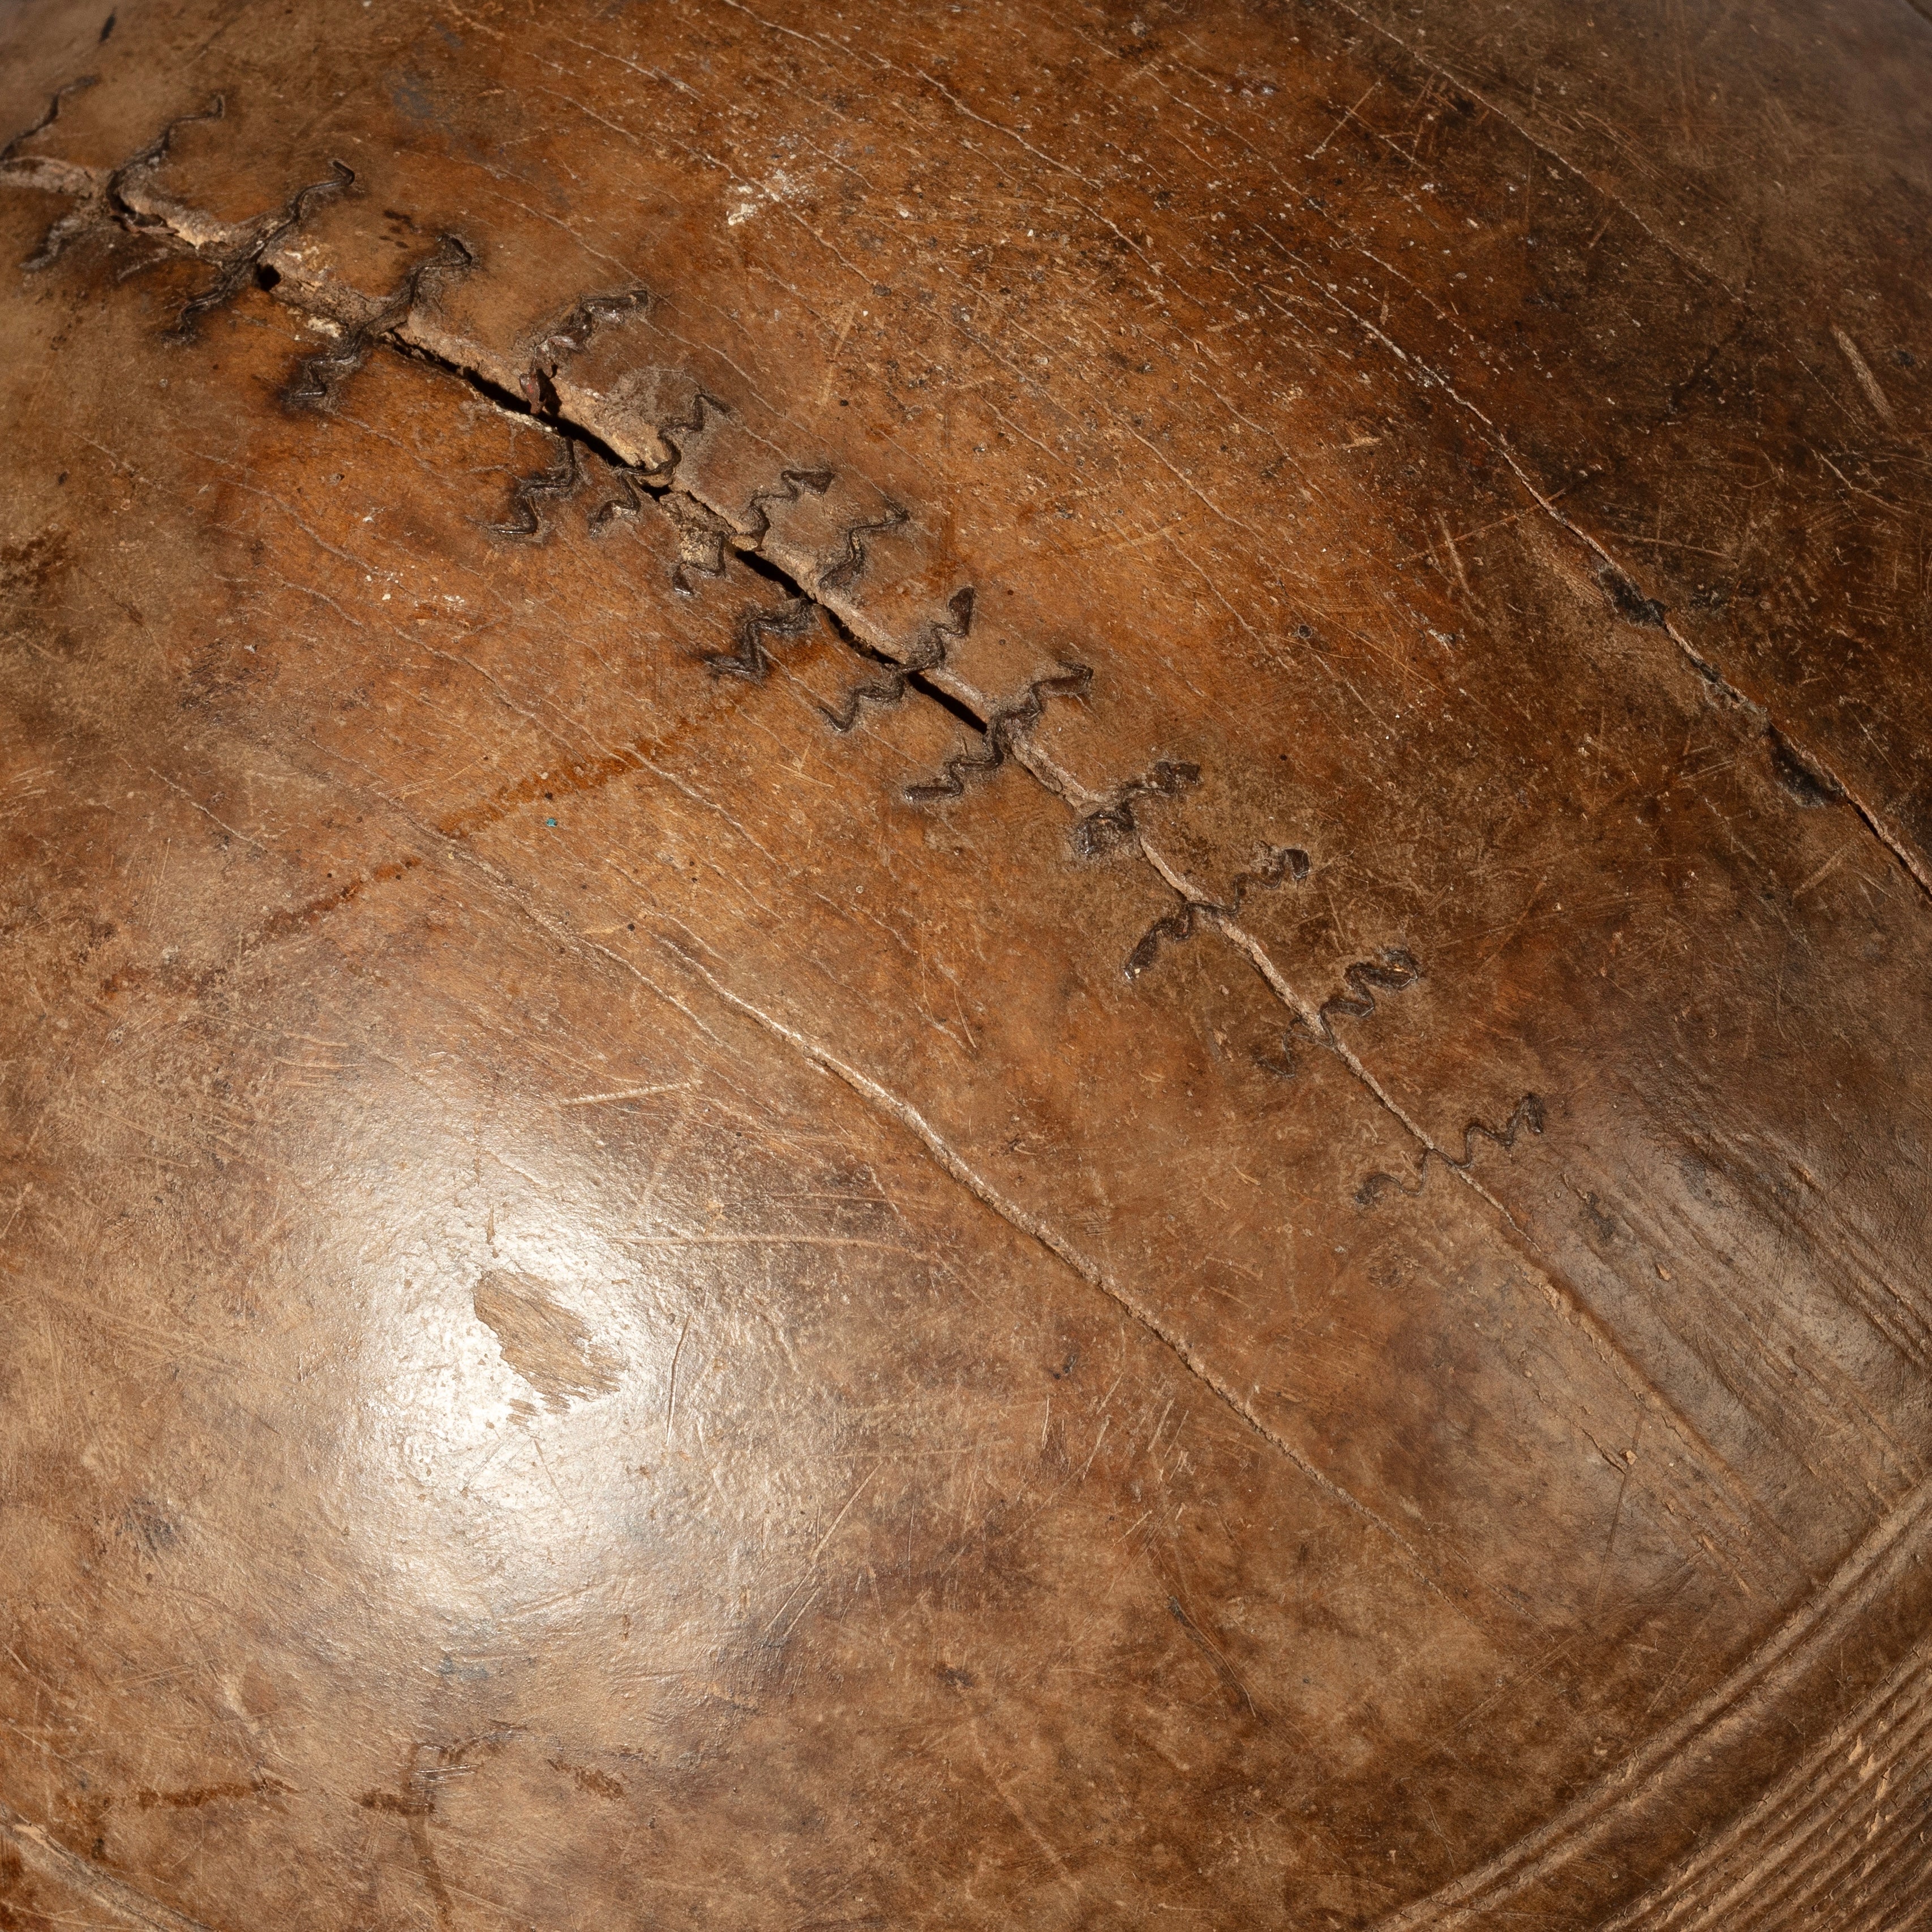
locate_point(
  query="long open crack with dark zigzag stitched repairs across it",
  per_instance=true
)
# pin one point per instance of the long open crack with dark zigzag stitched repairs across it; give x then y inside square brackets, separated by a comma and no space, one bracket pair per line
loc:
[714,519]
